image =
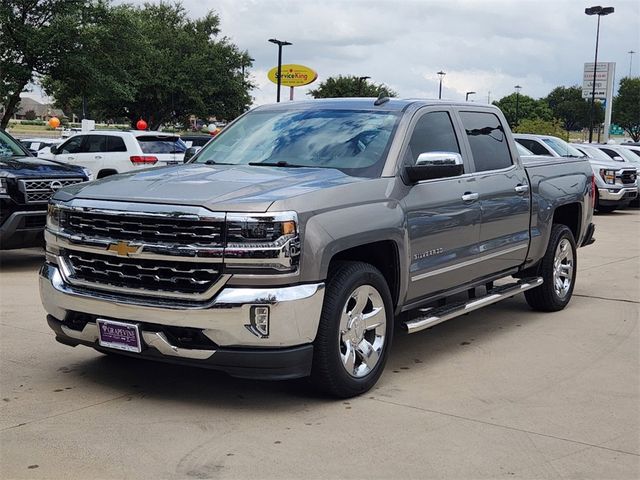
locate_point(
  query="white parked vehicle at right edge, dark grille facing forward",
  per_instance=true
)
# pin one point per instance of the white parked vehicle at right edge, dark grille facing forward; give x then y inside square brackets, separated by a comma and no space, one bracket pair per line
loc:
[613,180]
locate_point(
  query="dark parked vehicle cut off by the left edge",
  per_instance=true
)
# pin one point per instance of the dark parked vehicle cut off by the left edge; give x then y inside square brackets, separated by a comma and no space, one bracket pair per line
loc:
[26,184]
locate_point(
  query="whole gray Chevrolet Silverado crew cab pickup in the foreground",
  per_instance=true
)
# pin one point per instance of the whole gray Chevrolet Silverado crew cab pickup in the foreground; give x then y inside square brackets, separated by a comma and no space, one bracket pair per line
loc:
[295,241]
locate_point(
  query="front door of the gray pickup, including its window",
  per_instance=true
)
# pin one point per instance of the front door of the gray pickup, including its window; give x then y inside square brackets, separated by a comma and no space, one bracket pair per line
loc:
[443,226]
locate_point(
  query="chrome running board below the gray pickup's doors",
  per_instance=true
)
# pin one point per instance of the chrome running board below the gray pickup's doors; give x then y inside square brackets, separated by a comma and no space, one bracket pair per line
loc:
[434,316]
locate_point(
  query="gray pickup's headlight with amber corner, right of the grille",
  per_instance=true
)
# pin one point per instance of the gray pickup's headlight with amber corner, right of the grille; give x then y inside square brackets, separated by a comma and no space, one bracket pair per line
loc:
[265,243]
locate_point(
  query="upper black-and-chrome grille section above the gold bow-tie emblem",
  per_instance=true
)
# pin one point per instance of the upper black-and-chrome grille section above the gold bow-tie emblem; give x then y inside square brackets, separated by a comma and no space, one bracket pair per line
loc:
[143,229]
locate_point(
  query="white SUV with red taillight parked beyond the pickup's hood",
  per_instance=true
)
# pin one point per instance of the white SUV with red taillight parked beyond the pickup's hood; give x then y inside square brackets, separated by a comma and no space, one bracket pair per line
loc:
[106,153]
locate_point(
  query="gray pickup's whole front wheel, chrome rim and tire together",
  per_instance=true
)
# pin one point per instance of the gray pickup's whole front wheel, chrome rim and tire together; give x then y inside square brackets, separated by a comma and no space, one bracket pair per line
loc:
[355,332]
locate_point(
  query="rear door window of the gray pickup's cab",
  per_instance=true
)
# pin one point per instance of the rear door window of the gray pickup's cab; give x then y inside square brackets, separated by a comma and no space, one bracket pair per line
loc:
[488,142]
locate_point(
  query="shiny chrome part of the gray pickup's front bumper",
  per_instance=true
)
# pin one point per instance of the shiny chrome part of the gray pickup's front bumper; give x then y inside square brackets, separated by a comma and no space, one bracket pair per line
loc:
[294,313]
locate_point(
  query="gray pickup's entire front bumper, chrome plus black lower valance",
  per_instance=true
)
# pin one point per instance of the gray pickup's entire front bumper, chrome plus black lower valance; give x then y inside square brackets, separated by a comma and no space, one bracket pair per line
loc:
[224,323]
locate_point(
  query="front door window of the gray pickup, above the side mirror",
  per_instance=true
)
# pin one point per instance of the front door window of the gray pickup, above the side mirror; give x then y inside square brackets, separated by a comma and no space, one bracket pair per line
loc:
[433,133]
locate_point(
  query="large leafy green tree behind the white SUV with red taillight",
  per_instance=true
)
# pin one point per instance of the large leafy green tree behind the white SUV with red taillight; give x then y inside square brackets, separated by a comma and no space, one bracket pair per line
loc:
[153,62]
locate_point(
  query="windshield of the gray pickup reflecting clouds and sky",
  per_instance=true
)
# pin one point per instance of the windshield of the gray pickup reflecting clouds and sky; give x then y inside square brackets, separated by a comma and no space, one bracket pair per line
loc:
[353,141]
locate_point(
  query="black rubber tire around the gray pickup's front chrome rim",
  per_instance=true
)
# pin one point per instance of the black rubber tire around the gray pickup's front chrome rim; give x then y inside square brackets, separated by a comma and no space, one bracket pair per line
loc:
[329,372]
